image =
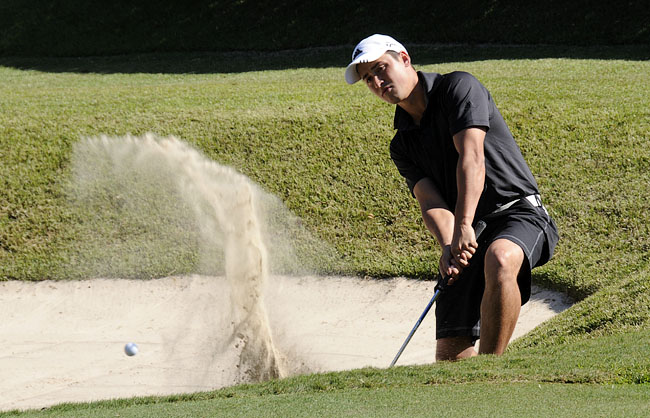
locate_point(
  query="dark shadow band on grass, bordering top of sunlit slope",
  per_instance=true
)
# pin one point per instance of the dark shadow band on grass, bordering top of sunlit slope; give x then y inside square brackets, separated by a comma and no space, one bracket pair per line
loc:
[322,57]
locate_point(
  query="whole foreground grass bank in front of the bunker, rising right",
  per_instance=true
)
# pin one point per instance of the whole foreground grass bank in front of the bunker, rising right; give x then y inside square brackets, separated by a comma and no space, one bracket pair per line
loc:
[607,376]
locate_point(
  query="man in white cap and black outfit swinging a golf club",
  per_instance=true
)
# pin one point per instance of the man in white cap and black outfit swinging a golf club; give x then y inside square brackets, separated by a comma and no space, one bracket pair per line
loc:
[462,165]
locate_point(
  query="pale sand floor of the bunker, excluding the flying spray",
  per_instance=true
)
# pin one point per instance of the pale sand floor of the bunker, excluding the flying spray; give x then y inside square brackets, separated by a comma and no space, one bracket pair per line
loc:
[64,341]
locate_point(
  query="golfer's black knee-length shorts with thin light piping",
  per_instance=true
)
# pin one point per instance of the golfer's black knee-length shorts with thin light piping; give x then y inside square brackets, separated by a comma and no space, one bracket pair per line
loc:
[458,309]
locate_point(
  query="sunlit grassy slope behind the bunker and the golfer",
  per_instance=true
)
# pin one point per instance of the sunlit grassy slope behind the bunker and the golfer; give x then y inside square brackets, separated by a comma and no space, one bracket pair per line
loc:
[321,147]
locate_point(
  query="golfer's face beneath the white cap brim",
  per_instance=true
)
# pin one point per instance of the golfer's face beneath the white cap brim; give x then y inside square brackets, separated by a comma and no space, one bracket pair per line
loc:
[388,77]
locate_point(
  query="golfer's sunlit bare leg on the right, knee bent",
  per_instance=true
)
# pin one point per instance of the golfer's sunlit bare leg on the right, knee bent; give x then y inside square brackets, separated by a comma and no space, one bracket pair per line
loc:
[501,301]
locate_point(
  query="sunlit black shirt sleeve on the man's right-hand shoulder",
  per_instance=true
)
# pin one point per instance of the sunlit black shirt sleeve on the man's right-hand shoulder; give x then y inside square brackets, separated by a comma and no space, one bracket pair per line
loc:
[466,102]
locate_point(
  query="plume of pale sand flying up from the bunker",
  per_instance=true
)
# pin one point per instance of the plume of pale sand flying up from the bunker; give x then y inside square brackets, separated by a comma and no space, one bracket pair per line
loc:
[131,183]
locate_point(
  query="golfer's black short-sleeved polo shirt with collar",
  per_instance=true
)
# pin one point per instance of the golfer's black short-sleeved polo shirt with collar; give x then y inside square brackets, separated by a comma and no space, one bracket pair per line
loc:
[457,101]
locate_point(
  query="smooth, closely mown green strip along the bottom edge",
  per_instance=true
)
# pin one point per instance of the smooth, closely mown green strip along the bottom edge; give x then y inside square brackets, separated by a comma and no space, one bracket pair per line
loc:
[471,399]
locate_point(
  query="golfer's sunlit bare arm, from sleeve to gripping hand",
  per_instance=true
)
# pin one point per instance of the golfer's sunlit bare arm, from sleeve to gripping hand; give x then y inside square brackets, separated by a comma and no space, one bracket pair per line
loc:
[470,178]
